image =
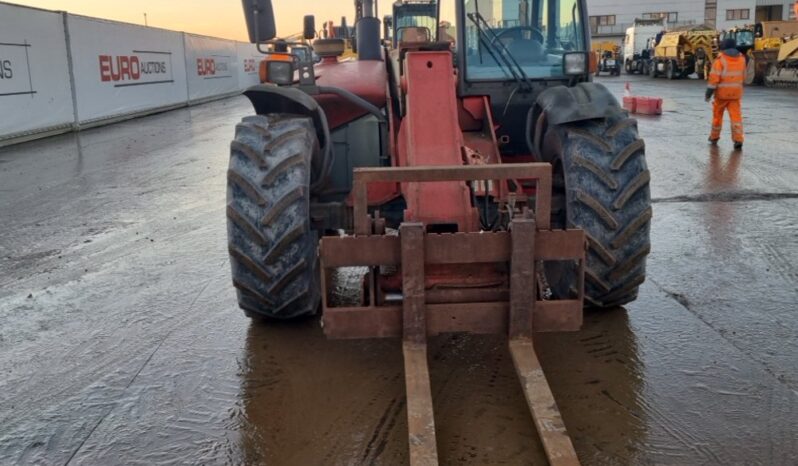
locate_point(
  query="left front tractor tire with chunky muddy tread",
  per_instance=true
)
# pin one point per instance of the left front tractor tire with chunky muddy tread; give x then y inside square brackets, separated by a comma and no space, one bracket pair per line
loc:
[273,250]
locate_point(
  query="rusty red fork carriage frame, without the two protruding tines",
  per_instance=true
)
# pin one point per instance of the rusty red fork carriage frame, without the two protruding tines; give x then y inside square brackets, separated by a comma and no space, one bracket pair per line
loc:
[480,310]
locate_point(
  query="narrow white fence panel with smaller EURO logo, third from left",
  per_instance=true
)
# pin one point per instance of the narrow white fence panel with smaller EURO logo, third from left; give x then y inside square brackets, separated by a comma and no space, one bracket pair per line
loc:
[212,67]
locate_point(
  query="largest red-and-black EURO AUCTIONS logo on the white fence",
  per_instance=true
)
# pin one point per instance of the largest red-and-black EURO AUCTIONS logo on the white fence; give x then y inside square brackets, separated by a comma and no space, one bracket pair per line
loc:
[138,68]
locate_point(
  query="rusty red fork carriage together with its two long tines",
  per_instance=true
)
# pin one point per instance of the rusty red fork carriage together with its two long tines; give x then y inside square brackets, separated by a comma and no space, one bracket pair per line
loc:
[513,309]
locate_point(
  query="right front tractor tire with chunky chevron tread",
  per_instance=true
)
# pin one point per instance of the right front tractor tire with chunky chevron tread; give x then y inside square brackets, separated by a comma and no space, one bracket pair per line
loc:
[602,185]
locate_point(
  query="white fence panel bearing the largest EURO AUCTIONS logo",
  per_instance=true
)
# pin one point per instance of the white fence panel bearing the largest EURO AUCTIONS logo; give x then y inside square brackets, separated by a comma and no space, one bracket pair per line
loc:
[123,69]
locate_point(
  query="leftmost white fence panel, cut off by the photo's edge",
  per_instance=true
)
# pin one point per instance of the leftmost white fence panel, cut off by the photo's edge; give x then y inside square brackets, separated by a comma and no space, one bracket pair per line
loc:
[35,92]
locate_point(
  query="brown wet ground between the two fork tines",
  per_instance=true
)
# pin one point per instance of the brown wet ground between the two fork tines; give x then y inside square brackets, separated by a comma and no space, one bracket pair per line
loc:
[480,414]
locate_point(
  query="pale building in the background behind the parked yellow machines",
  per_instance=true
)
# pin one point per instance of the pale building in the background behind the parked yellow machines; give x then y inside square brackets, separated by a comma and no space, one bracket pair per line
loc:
[610,18]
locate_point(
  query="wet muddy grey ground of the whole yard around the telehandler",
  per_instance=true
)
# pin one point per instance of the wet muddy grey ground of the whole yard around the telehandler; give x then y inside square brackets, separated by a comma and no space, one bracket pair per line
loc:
[121,341]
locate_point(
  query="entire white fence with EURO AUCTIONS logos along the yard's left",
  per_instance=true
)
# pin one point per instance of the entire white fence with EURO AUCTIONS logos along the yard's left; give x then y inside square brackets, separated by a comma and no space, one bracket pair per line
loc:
[60,71]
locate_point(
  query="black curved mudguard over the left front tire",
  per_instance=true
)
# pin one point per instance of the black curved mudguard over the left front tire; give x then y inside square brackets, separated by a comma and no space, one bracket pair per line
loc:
[268,99]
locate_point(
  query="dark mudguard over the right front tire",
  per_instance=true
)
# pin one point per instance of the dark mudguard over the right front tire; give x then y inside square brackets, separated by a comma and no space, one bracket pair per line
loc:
[585,101]
